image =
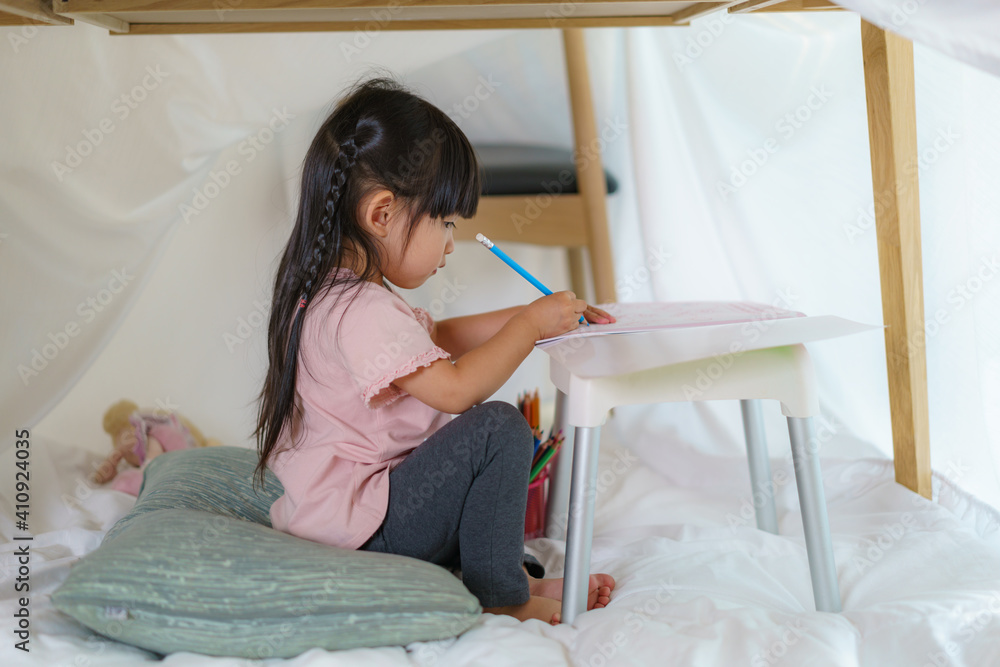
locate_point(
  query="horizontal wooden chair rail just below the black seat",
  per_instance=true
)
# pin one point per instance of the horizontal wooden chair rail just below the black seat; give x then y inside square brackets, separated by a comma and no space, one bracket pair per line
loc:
[537,219]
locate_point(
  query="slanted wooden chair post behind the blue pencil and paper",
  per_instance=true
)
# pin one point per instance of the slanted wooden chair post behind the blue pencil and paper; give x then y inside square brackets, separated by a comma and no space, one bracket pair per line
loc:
[589,168]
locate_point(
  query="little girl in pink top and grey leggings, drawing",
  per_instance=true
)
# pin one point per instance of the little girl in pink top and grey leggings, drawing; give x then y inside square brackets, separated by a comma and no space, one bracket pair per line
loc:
[355,415]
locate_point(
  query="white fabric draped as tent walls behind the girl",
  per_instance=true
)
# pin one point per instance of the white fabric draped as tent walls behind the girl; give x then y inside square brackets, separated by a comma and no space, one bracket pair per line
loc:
[149,183]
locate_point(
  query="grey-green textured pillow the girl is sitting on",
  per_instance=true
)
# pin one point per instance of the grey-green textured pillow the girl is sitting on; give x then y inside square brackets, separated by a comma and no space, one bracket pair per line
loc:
[195,566]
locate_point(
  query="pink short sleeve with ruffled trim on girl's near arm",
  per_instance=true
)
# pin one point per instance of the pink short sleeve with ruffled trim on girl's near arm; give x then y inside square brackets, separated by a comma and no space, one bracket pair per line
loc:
[385,340]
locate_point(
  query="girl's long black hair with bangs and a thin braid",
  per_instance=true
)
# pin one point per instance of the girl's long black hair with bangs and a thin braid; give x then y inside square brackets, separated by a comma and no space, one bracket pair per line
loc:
[379,135]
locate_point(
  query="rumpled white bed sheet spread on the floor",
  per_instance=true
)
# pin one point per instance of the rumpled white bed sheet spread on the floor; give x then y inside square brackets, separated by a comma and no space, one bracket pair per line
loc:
[697,583]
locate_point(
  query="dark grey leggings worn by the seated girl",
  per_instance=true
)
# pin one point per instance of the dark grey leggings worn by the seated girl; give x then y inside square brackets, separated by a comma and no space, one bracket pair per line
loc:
[458,500]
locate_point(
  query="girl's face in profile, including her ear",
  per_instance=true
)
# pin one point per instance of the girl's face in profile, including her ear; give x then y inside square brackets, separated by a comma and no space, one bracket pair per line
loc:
[429,246]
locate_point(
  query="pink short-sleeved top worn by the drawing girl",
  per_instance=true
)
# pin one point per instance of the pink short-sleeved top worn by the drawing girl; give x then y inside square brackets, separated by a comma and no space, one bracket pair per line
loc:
[356,425]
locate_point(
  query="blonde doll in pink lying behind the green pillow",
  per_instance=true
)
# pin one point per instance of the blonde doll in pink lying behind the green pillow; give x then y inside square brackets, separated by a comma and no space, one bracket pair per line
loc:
[139,436]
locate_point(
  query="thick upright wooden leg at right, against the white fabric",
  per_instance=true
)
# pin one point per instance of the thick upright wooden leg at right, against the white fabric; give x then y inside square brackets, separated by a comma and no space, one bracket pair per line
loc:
[892,132]
